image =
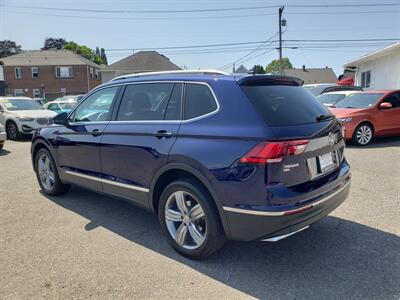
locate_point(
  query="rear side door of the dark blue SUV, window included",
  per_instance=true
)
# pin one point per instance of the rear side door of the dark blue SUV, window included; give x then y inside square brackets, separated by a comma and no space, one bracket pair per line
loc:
[138,140]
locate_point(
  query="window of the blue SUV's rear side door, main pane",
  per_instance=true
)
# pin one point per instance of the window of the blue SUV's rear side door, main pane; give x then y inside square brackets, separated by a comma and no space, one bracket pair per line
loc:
[144,101]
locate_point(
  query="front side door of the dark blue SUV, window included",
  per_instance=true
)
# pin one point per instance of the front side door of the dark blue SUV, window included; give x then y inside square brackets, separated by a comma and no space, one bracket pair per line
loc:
[78,144]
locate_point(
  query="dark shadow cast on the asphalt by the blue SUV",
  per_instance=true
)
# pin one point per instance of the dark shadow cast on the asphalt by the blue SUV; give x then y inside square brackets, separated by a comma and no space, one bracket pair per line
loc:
[335,258]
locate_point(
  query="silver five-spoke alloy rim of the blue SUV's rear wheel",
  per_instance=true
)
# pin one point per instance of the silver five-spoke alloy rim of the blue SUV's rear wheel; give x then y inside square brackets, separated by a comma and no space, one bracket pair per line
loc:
[185,220]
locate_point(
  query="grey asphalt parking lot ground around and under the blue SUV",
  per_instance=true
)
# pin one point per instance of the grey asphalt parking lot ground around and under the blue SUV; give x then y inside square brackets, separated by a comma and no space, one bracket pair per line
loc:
[86,245]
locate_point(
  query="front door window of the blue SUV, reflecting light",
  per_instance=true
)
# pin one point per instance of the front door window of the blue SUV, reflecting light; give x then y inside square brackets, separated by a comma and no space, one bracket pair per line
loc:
[97,106]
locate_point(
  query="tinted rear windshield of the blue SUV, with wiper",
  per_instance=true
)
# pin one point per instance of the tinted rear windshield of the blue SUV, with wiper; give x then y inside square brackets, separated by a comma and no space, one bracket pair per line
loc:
[285,105]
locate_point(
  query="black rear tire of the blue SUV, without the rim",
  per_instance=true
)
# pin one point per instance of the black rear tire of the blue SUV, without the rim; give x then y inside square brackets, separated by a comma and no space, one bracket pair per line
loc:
[214,234]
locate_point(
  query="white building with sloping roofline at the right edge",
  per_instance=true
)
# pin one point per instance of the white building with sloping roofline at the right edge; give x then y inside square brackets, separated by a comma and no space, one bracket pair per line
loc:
[379,69]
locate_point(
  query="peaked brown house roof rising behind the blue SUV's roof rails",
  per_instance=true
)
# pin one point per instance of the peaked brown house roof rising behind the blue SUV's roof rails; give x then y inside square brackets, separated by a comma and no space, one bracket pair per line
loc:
[143,61]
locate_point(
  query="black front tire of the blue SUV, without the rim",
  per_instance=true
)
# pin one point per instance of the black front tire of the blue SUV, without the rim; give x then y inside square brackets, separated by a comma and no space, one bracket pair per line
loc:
[58,188]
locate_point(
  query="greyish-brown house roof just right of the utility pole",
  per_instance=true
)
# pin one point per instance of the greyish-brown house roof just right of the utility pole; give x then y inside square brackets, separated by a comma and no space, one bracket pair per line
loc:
[313,75]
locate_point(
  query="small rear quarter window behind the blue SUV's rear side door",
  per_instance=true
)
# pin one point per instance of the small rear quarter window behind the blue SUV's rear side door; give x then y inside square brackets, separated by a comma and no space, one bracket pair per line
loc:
[199,100]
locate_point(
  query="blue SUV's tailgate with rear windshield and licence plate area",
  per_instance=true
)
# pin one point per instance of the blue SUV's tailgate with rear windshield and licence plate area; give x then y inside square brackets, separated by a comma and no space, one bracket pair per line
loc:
[295,116]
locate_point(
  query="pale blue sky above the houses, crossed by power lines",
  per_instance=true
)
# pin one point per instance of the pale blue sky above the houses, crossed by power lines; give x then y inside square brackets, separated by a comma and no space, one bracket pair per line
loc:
[130,30]
